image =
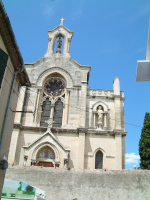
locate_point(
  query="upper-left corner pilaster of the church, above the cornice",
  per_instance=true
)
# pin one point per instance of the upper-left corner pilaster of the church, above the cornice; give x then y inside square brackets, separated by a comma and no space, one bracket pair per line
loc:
[20,104]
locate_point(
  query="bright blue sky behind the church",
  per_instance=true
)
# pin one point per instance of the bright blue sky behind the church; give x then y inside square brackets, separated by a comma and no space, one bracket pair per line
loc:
[108,35]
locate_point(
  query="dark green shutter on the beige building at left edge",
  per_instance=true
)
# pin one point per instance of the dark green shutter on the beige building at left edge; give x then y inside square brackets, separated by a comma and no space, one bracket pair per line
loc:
[3,63]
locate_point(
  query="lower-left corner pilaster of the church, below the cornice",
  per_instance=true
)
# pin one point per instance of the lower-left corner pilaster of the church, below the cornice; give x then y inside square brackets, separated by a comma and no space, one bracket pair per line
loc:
[13,146]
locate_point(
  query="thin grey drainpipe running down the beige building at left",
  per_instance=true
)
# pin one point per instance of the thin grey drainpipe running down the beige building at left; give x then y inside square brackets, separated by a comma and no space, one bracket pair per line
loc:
[7,110]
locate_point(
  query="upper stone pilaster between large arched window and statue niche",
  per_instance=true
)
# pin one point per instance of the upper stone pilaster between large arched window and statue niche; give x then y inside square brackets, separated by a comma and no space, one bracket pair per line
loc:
[83,104]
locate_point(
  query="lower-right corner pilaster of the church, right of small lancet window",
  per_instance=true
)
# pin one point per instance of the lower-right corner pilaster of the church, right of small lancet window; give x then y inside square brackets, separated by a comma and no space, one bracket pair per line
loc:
[118,151]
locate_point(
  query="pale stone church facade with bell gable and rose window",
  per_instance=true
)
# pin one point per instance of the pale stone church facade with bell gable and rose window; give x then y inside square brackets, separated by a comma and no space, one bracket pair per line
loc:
[64,123]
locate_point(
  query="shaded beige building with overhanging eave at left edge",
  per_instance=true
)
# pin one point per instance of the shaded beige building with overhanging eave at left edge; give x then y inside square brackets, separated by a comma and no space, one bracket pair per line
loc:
[12,75]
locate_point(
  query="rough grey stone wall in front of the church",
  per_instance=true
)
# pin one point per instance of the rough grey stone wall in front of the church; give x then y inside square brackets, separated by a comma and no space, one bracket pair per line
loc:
[85,184]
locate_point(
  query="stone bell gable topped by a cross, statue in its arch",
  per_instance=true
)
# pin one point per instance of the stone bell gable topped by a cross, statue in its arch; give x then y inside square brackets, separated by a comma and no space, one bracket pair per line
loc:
[57,35]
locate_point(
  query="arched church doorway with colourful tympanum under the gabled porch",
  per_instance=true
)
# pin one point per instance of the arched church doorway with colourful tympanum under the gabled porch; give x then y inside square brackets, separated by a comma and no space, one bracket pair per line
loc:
[46,157]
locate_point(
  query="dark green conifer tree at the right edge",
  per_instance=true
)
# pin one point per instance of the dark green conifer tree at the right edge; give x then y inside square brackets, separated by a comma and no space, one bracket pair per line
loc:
[144,143]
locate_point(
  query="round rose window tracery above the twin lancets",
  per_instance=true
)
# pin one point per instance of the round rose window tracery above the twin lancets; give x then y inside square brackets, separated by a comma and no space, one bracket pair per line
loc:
[54,86]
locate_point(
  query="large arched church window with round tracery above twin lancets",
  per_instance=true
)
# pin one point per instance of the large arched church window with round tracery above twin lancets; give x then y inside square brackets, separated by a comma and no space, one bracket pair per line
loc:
[54,93]
